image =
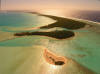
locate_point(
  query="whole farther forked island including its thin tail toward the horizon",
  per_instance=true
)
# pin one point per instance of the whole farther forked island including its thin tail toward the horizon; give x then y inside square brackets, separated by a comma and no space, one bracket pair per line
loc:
[63,22]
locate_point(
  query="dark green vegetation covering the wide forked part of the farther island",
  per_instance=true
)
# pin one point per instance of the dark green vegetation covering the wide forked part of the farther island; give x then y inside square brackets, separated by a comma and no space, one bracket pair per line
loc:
[64,23]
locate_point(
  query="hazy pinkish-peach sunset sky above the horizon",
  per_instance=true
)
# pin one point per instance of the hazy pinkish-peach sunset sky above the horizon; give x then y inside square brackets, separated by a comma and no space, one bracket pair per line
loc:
[51,4]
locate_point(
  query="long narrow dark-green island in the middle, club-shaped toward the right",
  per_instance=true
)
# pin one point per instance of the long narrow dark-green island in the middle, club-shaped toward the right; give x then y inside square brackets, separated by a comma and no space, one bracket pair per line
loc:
[55,34]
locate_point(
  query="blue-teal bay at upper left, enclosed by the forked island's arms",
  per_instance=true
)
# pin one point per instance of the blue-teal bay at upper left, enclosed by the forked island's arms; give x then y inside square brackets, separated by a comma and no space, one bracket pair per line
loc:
[15,19]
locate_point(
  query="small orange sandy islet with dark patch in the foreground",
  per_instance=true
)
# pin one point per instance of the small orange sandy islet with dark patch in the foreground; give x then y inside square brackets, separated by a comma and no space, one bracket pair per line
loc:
[51,58]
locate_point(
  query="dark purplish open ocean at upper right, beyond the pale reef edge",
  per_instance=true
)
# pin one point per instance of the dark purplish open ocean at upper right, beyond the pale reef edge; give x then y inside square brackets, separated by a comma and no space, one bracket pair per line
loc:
[87,15]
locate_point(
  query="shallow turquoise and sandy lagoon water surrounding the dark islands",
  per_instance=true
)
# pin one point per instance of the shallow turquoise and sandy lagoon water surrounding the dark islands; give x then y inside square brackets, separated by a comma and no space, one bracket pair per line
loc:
[24,55]
